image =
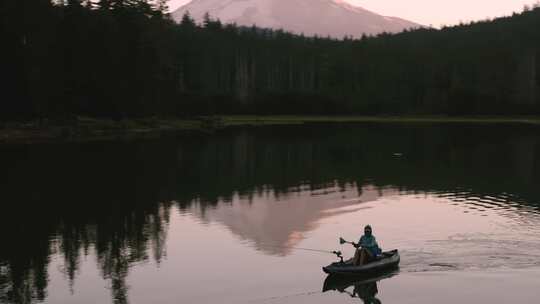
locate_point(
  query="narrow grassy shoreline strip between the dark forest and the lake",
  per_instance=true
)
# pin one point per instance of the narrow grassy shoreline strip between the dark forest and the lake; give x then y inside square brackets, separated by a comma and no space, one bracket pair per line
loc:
[91,129]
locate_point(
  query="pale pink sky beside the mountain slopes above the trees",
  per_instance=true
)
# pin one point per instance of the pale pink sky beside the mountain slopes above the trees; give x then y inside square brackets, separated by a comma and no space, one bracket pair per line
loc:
[432,12]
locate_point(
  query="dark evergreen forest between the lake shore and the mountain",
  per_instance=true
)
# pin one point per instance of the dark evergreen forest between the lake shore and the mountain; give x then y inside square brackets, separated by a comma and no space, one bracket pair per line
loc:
[126,58]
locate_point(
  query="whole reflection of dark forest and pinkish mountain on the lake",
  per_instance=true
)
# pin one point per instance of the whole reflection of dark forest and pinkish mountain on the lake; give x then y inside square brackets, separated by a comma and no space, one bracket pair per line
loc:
[268,186]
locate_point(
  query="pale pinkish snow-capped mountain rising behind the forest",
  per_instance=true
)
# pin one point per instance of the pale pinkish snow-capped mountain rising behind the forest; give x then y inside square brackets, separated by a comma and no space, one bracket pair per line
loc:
[334,18]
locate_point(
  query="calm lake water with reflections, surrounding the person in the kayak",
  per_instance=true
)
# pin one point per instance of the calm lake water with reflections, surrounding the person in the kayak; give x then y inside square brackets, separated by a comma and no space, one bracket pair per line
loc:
[219,218]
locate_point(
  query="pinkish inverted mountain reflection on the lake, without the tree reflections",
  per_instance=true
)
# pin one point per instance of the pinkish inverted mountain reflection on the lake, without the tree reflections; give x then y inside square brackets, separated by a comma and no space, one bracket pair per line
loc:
[276,224]
